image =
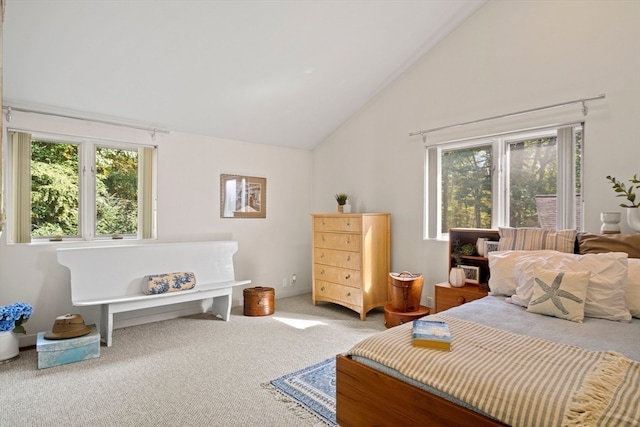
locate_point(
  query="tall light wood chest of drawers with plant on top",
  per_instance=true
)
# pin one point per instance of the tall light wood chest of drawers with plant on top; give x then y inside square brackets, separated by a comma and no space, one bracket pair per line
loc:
[351,260]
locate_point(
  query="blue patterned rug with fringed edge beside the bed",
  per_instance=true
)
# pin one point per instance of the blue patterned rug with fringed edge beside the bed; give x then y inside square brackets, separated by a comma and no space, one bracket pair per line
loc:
[313,388]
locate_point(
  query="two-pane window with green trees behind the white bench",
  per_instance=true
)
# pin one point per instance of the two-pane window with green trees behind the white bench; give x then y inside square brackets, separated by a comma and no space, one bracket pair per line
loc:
[65,187]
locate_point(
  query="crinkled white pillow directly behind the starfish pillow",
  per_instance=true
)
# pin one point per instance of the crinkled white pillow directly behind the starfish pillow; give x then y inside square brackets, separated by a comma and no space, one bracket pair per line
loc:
[607,286]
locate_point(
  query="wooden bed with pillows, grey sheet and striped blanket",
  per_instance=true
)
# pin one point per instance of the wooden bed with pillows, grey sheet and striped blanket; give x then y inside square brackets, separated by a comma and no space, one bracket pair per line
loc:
[509,363]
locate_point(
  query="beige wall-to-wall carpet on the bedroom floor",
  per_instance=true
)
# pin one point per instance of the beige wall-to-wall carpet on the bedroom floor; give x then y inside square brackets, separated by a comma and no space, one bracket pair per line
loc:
[196,371]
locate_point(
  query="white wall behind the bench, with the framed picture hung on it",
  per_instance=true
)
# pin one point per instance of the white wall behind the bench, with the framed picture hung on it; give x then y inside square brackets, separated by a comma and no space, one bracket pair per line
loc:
[189,168]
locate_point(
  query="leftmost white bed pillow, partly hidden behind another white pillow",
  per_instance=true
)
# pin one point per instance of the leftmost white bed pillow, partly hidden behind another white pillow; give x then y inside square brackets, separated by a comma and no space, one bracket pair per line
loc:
[502,264]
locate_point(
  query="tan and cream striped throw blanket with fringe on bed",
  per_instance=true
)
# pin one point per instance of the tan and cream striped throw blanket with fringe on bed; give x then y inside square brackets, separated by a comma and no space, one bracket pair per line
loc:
[519,380]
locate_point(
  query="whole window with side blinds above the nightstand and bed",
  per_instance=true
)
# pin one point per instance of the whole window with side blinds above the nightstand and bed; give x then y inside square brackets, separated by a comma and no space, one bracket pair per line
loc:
[526,179]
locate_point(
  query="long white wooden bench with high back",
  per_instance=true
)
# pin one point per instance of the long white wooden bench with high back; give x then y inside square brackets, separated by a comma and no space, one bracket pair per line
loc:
[113,276]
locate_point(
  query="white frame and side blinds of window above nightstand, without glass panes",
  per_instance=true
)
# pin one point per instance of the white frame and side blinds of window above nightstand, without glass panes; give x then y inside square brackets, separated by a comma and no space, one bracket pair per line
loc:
[566,179]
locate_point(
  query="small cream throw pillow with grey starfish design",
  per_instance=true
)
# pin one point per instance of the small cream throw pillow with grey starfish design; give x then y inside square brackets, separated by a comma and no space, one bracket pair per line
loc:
[559,294]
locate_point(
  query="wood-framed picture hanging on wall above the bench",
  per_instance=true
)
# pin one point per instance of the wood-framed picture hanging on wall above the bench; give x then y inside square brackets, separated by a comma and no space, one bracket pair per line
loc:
[243,196]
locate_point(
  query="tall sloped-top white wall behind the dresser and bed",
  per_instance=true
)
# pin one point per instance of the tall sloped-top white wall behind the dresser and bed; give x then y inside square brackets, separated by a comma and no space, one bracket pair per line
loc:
[509,56]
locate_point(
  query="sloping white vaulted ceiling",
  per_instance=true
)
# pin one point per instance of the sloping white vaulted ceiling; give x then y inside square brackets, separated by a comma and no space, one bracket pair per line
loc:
[285,73]
